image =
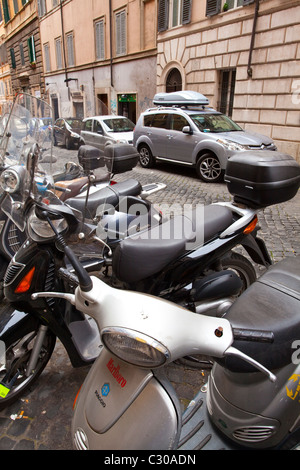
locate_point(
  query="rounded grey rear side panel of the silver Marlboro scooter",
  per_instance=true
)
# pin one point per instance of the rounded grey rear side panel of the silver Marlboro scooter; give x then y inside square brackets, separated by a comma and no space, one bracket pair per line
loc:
[252,410]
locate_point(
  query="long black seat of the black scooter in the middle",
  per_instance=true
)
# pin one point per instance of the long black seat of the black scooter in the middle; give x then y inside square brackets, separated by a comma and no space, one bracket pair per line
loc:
[145,254]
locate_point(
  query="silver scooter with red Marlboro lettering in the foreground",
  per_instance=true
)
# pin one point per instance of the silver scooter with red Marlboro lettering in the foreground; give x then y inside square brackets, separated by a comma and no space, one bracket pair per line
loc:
[253,395]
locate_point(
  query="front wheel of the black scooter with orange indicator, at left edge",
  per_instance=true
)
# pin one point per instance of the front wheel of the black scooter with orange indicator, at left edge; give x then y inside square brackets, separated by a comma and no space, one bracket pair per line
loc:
[14,360]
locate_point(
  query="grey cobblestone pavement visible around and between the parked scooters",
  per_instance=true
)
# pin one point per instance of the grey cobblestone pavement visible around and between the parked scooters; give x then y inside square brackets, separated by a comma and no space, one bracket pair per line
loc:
[41,419]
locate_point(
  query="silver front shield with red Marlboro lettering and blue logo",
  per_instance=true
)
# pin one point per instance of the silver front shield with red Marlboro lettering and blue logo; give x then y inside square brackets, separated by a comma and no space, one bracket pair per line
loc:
[121,406]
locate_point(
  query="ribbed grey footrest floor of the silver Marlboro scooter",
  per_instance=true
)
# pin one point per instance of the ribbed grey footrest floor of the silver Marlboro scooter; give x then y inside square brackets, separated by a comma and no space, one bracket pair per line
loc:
[197,430]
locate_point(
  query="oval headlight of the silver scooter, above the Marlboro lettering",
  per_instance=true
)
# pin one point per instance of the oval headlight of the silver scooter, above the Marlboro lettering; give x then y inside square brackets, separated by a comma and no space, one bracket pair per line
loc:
[134,347]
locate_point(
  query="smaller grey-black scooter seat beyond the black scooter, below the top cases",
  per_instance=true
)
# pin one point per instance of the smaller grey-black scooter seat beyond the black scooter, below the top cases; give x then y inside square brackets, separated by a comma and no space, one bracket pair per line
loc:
[109,195]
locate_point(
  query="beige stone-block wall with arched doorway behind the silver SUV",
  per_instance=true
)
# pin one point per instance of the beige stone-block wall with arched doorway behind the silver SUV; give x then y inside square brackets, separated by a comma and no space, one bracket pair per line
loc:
[269,102]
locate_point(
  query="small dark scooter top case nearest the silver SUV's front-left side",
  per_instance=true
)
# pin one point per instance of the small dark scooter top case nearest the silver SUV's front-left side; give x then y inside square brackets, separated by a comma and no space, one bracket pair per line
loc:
[120,157]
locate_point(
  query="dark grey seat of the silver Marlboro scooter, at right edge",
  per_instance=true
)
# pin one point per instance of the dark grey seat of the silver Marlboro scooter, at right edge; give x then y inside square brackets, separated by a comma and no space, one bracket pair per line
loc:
[271,304]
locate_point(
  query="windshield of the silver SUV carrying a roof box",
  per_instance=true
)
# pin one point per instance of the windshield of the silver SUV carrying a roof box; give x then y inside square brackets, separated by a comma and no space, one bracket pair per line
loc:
[215,123]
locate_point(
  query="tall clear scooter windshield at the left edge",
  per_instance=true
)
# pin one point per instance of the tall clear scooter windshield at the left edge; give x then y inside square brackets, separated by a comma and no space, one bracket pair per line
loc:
[25,143]
